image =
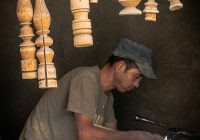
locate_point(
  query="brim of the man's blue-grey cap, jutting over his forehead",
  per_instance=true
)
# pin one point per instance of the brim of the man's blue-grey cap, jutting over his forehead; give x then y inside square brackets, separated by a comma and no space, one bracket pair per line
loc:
[147,70]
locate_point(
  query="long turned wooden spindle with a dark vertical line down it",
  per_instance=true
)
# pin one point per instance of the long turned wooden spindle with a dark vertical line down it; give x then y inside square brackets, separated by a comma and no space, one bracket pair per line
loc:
[46,69]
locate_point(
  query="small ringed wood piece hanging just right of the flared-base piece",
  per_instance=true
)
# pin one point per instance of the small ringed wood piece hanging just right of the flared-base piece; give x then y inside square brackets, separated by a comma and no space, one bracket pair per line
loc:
[150,10]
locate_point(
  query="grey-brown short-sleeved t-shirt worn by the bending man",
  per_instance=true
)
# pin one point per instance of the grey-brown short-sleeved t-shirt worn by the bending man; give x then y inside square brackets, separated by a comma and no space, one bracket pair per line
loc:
[78,91]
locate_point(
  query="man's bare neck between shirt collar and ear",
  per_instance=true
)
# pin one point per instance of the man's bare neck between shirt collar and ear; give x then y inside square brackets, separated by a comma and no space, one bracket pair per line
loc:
[106,78]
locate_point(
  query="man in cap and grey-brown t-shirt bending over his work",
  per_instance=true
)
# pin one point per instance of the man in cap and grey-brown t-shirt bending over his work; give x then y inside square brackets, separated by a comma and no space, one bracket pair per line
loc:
[81,108]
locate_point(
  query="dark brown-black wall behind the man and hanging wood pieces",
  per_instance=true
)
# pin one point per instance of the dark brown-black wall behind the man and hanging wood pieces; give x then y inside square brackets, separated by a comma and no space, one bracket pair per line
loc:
[174,99]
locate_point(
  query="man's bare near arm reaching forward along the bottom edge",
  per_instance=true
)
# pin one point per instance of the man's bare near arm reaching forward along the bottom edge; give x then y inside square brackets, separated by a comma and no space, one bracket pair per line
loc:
[86,131]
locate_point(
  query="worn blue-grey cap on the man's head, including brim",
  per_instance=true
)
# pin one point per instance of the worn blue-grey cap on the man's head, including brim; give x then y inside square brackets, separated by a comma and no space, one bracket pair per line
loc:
[138,53]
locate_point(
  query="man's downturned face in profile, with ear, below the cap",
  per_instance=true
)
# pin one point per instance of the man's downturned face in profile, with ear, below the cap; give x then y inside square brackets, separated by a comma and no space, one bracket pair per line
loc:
[126,80]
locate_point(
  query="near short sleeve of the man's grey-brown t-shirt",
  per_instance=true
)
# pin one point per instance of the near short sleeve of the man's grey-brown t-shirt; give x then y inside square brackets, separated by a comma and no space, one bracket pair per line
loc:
[82,96]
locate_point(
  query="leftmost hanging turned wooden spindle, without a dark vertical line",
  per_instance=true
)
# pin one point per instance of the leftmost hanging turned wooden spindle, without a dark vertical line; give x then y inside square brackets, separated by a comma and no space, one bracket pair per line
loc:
[27,48]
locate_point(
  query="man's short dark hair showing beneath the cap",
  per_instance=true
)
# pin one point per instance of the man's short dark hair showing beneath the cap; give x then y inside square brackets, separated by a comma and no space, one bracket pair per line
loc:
[113,59]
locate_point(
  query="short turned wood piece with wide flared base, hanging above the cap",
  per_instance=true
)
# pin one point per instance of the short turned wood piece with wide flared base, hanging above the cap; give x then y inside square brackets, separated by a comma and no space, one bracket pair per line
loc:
[130,7]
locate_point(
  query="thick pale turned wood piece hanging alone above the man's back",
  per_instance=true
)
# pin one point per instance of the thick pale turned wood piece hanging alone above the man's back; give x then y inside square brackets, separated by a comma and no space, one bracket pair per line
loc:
[81,25]
